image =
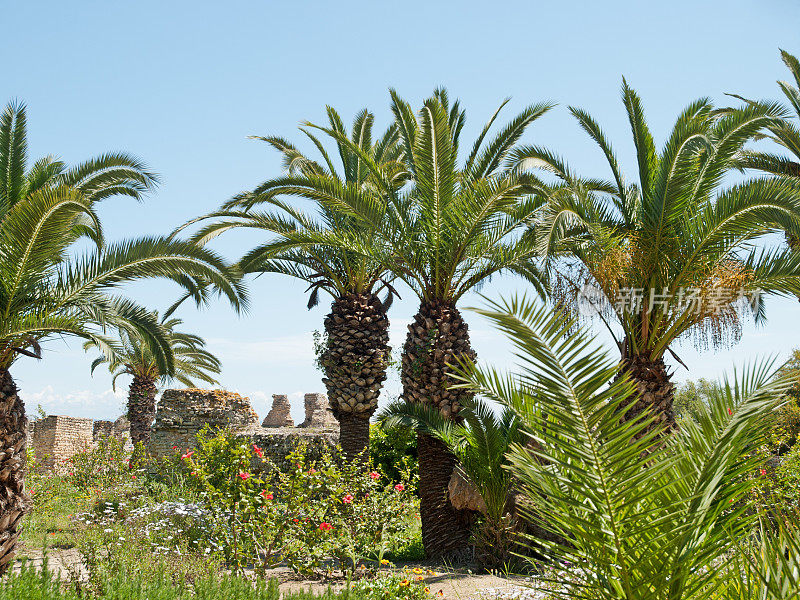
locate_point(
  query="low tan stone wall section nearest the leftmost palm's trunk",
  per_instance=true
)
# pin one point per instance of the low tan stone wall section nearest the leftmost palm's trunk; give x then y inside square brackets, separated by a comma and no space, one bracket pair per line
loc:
[57,438]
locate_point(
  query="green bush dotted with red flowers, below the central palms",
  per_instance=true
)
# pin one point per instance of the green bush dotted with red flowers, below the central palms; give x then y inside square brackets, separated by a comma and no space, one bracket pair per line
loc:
[313,511]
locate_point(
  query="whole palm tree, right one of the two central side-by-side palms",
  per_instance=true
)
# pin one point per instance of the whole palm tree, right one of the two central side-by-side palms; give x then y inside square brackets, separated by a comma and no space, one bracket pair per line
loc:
[446,233]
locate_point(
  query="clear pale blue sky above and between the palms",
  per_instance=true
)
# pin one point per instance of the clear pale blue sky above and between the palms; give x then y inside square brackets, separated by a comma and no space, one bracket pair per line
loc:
[182,85]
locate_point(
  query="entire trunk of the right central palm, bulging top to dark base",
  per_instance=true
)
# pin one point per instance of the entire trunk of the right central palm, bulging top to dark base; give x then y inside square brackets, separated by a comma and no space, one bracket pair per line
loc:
[437,340]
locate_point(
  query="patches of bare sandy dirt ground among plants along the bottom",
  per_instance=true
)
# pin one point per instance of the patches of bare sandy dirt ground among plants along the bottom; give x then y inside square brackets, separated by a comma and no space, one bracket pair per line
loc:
[456,584]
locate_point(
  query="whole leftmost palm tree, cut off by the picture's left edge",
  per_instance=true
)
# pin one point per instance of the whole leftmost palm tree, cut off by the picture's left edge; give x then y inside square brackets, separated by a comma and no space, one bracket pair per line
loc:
[46,292]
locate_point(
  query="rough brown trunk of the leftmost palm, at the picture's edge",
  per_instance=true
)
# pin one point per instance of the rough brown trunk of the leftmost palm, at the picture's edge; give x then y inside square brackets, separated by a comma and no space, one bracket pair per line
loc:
[13,499]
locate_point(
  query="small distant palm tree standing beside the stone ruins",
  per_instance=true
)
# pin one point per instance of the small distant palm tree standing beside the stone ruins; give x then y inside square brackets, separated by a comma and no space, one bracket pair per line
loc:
[134,356]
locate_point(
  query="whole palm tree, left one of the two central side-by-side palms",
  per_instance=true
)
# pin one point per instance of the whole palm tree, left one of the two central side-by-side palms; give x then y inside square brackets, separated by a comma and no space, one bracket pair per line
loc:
[333,252]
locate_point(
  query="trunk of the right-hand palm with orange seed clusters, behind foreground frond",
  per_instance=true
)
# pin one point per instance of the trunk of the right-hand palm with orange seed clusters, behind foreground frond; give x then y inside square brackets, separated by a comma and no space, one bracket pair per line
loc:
[655,390]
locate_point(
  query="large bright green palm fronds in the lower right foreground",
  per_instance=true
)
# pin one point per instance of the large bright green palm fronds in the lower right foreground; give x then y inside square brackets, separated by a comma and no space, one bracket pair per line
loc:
[640,515]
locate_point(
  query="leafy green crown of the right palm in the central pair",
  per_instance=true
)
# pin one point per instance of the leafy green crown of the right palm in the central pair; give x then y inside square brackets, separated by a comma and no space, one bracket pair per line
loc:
[451,227]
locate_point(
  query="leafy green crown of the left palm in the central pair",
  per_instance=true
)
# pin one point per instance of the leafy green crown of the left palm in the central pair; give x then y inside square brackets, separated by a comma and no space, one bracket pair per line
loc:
[329,248]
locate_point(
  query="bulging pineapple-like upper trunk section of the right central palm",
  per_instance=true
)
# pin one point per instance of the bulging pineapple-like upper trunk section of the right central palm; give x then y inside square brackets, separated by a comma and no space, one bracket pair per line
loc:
[437,340]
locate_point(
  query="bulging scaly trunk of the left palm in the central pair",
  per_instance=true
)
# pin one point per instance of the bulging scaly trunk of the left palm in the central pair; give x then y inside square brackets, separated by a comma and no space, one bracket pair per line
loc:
[355,363]
